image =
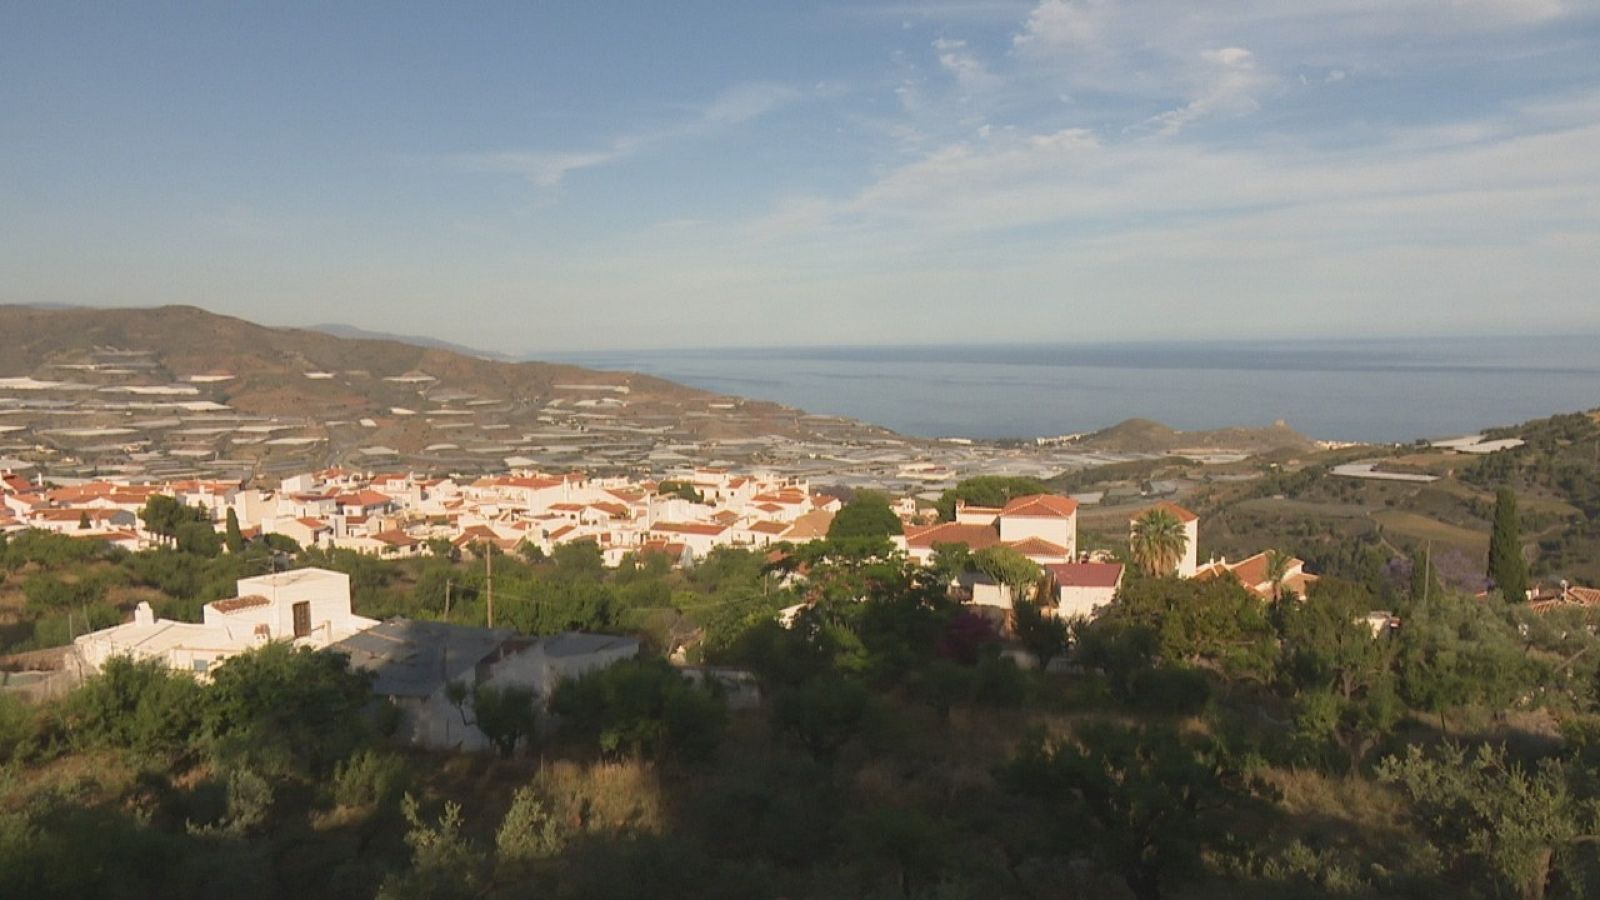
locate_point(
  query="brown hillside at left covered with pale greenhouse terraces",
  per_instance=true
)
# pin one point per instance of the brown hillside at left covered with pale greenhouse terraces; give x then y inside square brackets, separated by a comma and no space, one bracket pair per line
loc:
[102,385]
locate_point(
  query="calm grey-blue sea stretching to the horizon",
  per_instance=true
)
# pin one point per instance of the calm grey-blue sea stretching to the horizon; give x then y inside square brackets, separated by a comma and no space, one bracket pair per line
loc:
[1346,390]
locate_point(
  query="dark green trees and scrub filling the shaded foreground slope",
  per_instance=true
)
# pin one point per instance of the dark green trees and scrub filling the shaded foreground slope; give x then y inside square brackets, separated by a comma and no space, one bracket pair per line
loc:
[1202,744]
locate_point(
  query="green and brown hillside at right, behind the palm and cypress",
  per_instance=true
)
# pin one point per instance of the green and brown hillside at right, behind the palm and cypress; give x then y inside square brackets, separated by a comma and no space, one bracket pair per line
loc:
[1372,531]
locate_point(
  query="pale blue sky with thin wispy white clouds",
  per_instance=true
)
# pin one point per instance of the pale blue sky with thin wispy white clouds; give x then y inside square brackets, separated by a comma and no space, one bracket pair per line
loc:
[570,177]
